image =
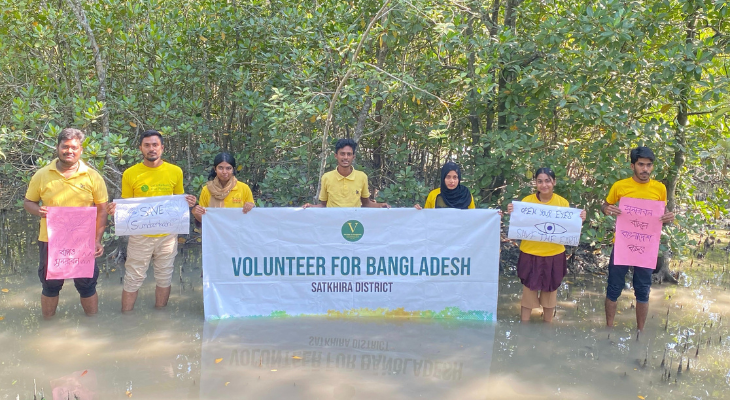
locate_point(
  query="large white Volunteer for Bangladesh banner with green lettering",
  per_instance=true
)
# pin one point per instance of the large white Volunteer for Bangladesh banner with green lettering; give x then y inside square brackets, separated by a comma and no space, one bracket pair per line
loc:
[351,262]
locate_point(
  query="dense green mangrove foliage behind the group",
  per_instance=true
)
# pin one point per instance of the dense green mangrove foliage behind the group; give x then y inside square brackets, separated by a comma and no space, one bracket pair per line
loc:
[569,84]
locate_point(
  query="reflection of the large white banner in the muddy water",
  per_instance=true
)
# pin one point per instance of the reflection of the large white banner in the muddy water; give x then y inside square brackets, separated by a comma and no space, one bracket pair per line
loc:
[320,358]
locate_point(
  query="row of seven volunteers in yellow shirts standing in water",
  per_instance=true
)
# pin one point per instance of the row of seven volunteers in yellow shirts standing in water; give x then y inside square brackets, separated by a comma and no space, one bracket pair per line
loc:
[68,181]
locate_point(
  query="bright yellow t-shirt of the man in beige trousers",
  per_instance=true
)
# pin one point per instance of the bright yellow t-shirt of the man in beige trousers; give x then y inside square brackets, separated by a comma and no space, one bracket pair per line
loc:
[142,181]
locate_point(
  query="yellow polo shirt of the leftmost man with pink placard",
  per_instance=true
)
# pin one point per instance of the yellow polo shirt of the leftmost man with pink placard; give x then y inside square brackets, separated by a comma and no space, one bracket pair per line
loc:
[84,188]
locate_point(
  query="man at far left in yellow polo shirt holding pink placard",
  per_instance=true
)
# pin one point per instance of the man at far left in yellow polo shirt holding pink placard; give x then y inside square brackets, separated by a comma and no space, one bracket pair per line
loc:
[67,182]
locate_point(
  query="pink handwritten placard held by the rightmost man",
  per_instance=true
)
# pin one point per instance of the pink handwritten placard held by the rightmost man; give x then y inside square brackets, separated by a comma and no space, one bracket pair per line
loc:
[638,232]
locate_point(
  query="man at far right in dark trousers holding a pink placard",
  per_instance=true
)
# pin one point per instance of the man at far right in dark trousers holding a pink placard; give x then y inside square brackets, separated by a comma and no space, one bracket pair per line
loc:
[639,186]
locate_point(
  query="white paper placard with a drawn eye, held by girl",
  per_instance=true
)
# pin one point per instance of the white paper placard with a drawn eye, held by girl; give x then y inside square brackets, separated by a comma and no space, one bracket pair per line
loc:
[541,223]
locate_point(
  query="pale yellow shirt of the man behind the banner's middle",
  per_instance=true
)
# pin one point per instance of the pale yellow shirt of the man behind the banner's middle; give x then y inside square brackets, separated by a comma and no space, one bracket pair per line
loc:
[344,191]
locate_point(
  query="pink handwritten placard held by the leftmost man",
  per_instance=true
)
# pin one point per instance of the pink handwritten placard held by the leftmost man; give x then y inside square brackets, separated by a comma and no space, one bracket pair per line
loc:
[71,234]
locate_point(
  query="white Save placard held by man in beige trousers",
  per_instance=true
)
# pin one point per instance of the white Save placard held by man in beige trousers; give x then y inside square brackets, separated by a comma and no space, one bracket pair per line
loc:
[152,215]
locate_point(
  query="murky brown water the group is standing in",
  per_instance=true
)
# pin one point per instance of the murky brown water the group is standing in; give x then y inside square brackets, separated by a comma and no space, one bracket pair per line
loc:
[174,354]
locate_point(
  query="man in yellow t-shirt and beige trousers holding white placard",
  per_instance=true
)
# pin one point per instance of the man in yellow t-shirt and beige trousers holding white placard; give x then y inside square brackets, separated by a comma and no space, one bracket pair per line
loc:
[152,177]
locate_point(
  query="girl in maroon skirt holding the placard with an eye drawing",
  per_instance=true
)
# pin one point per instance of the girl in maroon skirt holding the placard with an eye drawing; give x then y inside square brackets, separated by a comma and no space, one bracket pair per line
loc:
[542,266]
